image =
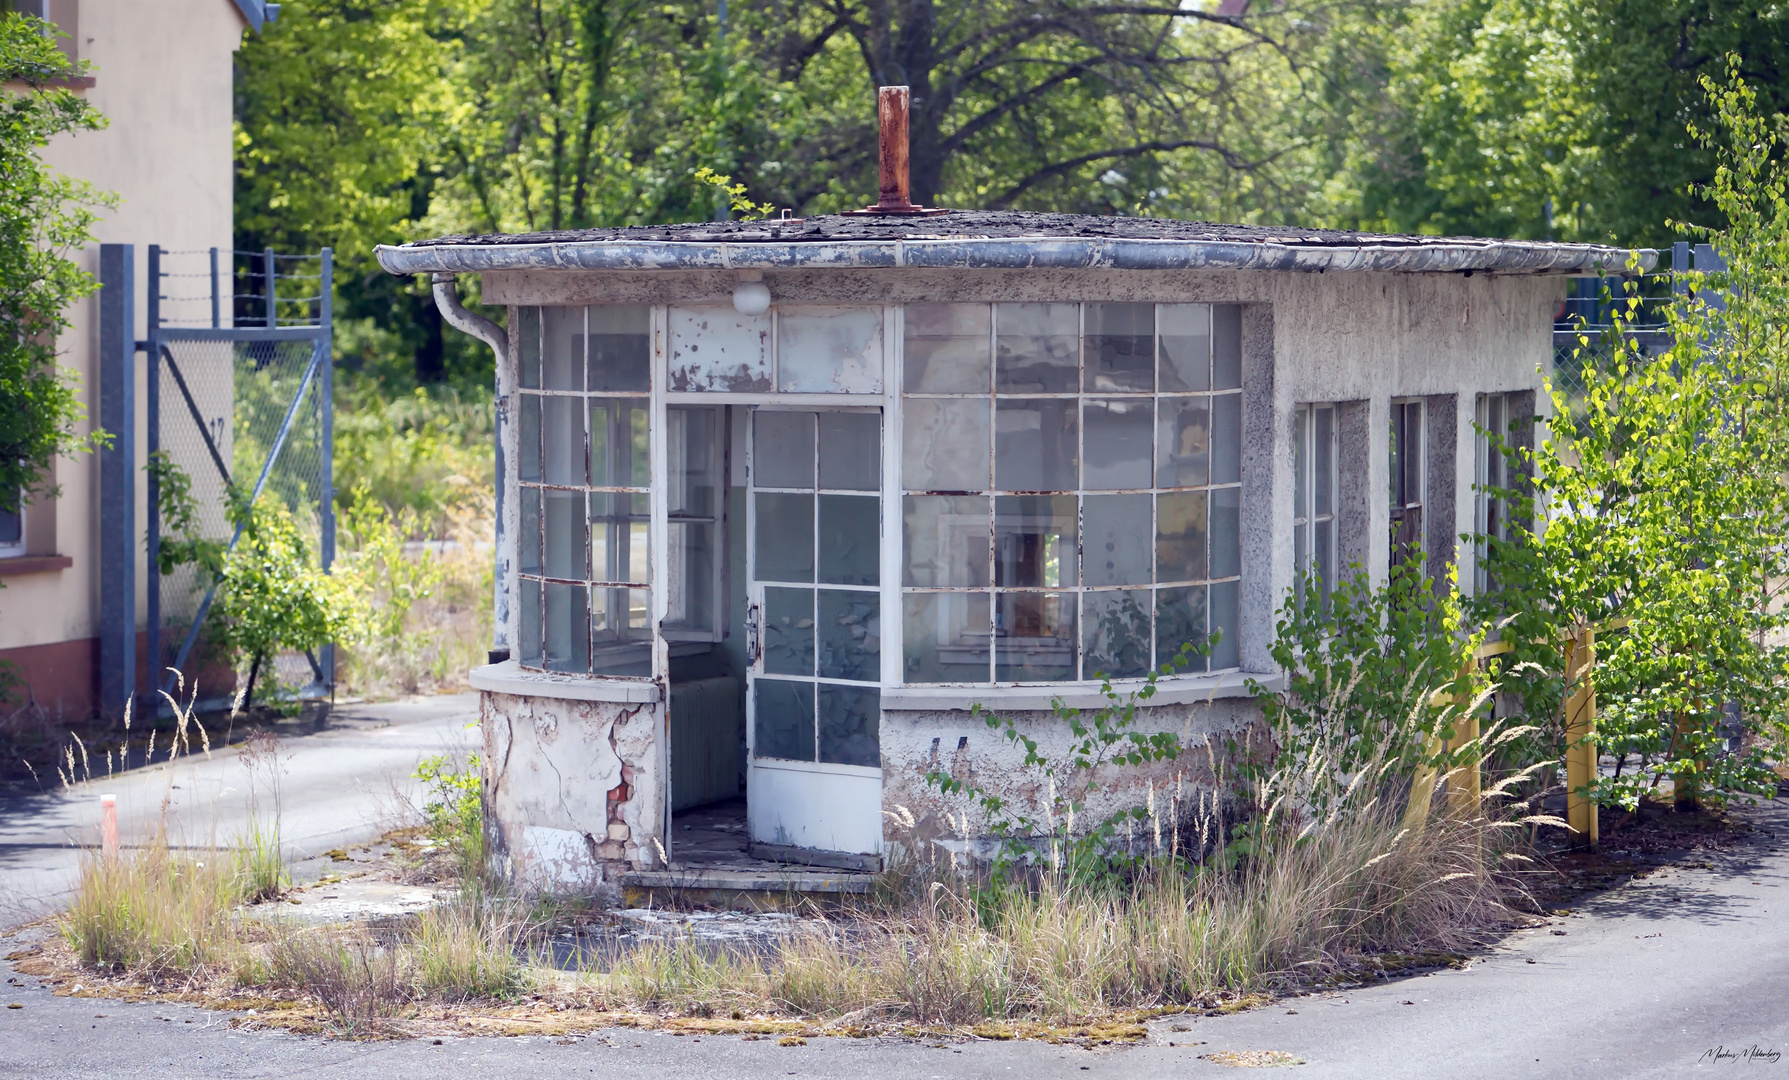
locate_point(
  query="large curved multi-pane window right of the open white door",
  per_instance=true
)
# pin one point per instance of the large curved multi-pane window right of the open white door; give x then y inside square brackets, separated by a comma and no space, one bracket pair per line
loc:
[1073,482]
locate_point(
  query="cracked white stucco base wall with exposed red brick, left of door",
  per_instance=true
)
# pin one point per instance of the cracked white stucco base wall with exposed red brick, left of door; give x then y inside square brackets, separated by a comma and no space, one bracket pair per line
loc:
[573,789]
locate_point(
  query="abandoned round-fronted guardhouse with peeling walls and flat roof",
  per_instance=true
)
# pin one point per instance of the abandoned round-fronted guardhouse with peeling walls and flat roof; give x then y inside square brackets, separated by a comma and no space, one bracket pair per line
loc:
[779,502]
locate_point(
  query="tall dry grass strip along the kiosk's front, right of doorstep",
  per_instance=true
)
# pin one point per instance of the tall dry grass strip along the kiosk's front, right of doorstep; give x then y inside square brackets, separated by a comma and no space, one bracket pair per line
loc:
[1056,950]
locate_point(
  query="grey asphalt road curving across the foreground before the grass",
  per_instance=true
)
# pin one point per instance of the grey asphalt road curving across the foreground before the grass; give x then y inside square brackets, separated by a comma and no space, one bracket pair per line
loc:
[1650,981]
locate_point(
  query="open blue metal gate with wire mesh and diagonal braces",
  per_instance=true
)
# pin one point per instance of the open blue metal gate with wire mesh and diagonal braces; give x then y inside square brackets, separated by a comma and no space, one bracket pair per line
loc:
[244,409]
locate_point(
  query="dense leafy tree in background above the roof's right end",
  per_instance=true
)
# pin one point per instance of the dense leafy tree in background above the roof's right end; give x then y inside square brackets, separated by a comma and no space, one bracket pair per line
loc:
[1502,110]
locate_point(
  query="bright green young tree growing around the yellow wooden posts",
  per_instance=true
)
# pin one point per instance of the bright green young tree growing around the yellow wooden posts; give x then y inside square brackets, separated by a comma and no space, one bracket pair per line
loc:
[1666,507]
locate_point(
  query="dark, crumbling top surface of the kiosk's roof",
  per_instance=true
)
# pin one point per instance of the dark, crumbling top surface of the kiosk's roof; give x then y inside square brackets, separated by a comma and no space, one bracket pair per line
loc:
[962,224]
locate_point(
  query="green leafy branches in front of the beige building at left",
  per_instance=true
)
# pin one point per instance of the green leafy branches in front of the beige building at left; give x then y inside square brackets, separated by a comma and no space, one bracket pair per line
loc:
[44,217]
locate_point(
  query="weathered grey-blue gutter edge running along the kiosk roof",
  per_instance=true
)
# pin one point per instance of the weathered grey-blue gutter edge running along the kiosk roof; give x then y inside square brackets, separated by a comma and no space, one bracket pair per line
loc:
[1443,257]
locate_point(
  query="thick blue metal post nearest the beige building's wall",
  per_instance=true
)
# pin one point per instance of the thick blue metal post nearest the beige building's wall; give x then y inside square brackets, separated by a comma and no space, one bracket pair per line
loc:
[117,416]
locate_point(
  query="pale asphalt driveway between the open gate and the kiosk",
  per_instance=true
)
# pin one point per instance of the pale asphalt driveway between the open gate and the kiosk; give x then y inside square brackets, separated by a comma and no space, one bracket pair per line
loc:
[337,786]
